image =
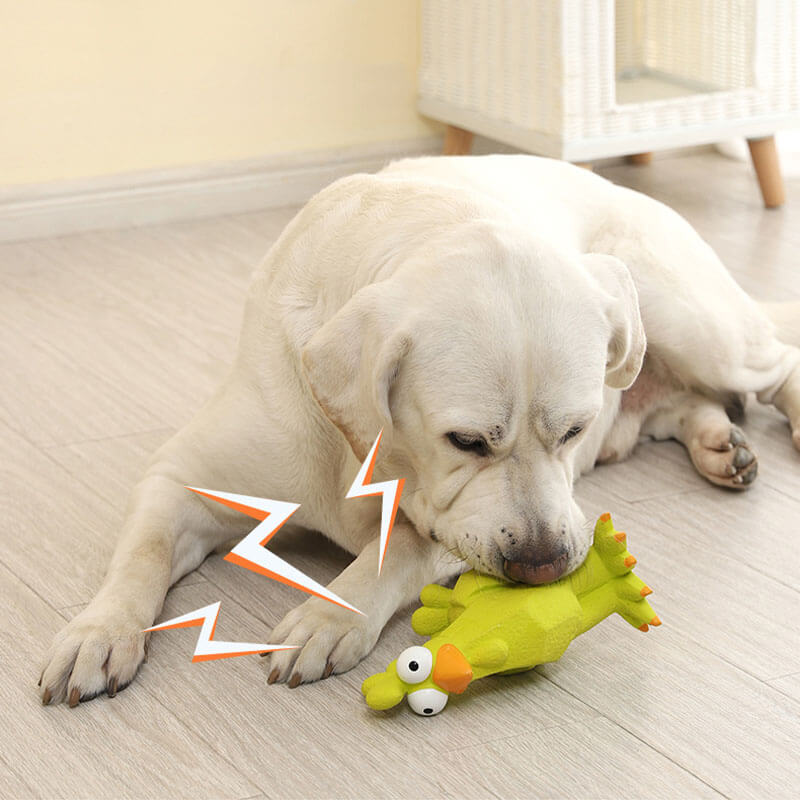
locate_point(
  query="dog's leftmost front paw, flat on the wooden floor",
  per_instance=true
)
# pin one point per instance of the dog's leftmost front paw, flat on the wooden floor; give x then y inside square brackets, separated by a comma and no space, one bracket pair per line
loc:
[98,651]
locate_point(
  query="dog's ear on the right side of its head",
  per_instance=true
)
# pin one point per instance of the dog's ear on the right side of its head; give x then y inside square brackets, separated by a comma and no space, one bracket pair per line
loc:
[627,345]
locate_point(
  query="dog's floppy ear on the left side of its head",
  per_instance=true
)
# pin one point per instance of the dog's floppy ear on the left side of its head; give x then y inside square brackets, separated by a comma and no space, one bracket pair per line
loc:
[352,361]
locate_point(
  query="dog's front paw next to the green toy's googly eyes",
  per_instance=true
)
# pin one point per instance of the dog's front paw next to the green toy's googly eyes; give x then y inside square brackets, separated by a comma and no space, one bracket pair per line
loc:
[330,640]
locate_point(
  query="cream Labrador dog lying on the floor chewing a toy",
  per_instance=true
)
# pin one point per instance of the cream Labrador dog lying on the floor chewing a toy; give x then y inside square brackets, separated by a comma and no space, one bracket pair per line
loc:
[508,322]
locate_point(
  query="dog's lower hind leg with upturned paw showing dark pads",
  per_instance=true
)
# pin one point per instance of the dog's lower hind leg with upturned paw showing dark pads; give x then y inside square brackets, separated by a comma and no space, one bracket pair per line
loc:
[717,447]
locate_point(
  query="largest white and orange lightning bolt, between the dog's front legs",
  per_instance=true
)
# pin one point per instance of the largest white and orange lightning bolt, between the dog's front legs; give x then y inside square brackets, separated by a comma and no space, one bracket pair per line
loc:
[250,552]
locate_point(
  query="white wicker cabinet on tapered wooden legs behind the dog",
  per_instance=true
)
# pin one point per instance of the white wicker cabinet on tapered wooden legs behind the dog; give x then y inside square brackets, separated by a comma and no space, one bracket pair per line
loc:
[587,79]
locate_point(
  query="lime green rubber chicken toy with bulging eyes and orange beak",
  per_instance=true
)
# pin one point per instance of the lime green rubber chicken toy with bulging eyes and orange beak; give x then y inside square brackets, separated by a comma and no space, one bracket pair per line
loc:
[484,625]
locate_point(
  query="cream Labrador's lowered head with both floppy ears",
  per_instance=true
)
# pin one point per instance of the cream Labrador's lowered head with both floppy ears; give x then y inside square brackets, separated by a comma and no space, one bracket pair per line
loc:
[484,360]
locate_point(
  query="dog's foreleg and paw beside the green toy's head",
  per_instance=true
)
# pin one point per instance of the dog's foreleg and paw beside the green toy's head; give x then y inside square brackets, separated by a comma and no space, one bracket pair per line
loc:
[332,639]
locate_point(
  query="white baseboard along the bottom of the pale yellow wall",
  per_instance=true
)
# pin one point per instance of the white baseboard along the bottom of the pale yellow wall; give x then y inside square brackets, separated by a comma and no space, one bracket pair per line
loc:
[158,196]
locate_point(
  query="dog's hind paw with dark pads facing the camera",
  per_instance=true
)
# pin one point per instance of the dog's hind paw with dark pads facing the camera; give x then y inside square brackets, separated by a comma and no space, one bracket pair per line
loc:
[723,456]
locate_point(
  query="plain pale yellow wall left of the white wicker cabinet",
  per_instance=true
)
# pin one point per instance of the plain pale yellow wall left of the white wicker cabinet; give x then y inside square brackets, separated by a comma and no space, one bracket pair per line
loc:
[96,87]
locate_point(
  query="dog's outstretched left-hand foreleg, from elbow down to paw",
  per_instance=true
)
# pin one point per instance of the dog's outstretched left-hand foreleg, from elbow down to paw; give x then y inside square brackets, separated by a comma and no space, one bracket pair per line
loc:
[167,533]
